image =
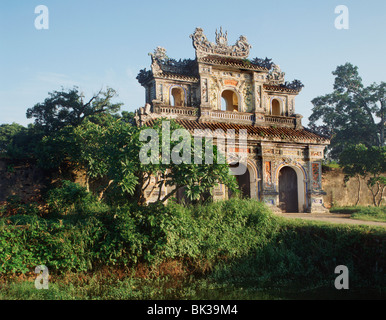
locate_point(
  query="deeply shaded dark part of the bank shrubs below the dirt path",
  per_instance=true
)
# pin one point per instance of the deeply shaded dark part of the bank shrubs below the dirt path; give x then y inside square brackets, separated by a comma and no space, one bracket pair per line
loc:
[308,252]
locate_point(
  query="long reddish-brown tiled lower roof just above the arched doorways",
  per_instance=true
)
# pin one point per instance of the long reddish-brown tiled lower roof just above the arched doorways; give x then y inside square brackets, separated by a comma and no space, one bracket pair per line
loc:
[260,133]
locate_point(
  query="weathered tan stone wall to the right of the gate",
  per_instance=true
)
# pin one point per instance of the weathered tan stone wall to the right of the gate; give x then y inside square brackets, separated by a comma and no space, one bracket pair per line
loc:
[339,193]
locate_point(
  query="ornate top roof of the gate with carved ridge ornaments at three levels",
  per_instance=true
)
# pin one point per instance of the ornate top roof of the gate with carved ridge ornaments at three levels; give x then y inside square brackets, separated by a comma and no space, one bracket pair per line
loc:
[220,54]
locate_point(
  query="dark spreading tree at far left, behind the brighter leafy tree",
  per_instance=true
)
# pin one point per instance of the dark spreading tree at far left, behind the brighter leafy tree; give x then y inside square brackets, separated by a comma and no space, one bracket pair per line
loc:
[60,110]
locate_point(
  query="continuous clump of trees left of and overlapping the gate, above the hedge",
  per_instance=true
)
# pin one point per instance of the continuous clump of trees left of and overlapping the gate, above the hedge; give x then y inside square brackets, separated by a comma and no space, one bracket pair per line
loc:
[71,135]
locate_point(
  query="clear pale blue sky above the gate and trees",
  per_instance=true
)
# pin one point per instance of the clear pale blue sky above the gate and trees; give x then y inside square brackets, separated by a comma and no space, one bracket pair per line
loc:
[94,44]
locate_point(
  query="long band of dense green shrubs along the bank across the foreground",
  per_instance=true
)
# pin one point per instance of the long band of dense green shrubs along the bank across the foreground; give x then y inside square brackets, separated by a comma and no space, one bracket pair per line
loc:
[236,239]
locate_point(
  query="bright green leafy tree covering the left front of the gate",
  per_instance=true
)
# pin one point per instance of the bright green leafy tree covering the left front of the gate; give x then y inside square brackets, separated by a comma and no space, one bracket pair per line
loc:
[111,152]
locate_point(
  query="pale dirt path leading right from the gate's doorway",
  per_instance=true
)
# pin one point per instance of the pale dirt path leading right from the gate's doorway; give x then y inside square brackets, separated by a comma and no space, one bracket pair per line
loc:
[332,218]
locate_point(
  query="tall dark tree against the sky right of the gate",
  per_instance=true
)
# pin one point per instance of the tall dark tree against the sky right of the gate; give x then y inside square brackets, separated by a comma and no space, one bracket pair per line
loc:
[350,113]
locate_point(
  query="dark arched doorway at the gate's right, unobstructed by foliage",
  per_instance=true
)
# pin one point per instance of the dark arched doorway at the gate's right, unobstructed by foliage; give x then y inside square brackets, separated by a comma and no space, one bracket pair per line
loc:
[288,190]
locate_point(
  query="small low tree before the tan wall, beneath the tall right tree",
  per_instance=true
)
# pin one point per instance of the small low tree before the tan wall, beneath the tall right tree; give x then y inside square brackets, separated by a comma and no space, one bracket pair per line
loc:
[368,163]
